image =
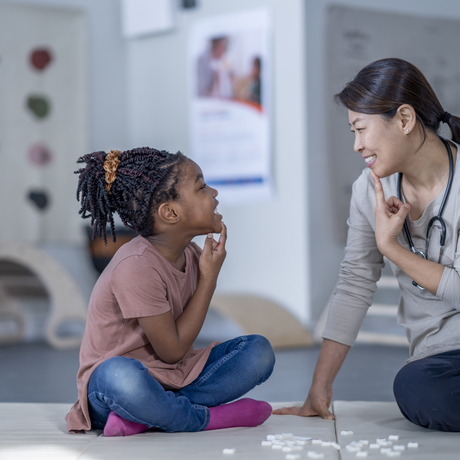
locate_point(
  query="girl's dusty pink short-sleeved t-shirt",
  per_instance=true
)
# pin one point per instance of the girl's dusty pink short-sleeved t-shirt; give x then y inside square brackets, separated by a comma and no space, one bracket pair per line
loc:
[138,282]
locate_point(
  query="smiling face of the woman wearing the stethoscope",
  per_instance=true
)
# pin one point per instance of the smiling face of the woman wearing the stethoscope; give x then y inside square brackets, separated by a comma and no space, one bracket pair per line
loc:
[380,142]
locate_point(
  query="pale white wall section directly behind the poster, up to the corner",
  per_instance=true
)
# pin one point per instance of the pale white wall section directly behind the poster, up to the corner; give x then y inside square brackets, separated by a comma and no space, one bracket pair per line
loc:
[267,245]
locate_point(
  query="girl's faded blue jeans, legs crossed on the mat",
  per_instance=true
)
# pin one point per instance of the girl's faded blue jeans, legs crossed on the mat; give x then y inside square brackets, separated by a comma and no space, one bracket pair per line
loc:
[124,385]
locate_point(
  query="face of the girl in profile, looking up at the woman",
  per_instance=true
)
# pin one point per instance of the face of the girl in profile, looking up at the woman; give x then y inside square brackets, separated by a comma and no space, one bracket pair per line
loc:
[197,202]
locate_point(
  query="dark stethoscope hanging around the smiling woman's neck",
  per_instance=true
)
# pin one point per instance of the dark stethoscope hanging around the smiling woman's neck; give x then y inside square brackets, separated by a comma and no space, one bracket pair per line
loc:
[433,219]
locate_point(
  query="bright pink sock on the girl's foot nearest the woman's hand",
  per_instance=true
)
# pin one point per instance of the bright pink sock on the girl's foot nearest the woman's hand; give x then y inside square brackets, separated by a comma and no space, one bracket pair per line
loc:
[244,412]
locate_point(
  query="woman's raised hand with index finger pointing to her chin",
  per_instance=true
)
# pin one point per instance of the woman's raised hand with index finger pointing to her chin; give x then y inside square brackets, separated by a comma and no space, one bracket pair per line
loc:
[389,217]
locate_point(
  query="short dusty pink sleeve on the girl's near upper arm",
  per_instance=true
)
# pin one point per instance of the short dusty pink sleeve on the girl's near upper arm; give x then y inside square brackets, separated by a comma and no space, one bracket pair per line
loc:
[139,289]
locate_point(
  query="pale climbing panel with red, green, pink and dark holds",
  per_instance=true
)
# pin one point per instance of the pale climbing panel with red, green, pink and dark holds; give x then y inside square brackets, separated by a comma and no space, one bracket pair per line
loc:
[42,121]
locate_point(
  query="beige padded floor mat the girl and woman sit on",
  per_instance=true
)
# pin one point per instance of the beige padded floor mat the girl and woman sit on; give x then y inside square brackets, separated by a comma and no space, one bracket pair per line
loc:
[37,431]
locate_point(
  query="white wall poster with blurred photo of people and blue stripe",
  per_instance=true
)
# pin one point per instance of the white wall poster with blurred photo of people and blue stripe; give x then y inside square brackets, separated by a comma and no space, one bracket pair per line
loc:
[230,104]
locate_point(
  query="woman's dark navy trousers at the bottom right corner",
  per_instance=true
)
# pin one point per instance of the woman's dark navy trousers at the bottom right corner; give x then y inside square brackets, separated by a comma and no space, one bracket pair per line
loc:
[428,391]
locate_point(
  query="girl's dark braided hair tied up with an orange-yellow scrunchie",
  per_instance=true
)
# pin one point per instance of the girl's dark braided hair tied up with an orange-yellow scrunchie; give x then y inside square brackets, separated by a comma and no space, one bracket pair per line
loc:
[142,179]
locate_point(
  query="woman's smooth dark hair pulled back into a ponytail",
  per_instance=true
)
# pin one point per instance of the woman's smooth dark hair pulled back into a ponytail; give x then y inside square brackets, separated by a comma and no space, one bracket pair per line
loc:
[383,86]
